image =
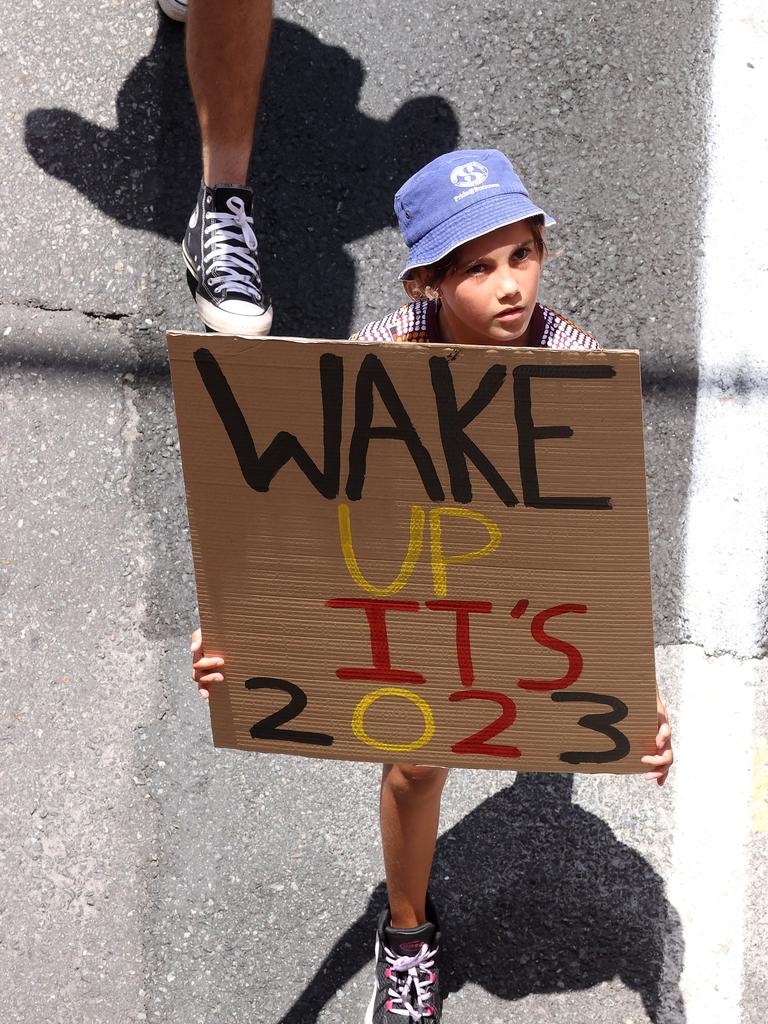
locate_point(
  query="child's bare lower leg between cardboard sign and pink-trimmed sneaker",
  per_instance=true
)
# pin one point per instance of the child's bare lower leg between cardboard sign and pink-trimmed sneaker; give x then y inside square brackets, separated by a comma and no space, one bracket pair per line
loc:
[410,815]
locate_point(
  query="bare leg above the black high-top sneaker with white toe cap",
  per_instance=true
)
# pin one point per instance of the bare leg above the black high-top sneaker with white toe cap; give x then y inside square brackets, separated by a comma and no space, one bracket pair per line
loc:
[227,48]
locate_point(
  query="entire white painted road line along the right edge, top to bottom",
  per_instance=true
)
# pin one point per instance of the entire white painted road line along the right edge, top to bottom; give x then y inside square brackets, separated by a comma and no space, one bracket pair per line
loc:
[727,530]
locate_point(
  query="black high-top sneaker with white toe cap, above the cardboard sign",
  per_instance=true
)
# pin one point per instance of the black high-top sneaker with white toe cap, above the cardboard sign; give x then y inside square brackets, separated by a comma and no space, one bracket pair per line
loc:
[220,250]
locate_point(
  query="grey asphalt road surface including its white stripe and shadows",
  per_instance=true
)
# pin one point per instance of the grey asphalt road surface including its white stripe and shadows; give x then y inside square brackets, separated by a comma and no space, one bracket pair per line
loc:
[148,877]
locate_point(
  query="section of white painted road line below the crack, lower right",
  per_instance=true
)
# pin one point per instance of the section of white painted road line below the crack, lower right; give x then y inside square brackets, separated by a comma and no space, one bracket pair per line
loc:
[708,885]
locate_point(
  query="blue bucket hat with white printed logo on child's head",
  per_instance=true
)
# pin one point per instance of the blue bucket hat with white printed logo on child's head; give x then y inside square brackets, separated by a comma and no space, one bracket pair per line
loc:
[456,198]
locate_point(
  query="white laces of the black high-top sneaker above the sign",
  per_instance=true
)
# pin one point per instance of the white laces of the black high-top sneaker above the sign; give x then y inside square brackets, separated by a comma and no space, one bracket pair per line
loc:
[235,267]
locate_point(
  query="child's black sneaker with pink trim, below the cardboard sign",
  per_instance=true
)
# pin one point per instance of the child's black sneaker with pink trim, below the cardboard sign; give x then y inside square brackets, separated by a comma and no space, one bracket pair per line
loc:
[407,987]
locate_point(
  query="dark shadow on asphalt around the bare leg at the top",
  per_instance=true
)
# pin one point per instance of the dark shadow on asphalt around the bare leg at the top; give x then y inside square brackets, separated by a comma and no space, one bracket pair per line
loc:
[324,172]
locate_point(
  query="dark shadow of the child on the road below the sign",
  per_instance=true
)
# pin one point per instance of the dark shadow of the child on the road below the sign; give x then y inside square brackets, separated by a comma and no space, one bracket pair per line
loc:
[537,897]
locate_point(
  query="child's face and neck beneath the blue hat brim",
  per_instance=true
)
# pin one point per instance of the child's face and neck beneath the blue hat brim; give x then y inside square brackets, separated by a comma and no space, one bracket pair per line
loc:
[489,300]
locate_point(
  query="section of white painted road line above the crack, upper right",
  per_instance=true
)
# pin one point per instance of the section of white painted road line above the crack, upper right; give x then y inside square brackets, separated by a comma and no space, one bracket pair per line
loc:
[727,529]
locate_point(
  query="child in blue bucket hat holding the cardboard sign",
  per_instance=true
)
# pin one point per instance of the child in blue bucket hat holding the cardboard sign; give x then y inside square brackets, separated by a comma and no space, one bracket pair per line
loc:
[476,252]
